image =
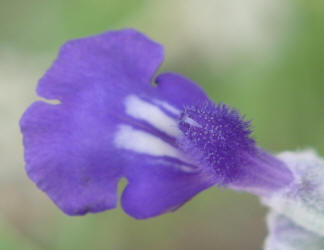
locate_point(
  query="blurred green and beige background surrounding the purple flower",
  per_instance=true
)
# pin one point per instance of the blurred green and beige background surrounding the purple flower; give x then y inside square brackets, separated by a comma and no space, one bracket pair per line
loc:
[264,57]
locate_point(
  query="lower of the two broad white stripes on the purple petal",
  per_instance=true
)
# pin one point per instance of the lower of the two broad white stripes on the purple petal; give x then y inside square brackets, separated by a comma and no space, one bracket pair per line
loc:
[142,142]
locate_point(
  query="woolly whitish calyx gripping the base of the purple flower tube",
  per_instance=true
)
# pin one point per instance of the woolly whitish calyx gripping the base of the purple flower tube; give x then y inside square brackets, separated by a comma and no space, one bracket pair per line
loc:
[302,200]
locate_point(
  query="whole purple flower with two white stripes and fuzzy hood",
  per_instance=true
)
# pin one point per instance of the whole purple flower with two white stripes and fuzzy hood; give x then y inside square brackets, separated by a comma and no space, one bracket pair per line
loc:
[168,139]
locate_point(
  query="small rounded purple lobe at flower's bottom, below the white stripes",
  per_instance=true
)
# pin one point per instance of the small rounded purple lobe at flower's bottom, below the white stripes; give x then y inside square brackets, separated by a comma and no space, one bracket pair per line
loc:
[158,187]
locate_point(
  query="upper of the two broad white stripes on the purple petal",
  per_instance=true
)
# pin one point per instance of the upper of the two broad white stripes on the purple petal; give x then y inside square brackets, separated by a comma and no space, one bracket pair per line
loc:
[152,114]
